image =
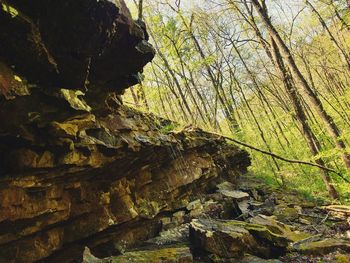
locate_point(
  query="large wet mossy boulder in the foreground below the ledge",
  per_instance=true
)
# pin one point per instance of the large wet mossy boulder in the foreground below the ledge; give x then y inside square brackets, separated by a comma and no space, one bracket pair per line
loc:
[231,239]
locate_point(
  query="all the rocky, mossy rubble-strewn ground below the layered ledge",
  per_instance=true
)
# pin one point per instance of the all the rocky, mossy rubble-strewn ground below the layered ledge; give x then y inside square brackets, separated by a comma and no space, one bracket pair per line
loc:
[248,223]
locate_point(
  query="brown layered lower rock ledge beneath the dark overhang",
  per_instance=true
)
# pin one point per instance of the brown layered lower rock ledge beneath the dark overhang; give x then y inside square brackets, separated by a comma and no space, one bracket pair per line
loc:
[68,178]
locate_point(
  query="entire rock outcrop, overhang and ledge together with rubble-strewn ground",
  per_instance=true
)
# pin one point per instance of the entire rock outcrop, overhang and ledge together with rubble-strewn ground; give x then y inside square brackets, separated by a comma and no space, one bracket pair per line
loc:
[84,178]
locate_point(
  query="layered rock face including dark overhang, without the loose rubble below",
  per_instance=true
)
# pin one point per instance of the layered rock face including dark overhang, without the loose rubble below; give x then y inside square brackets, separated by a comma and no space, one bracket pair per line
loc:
[77,167]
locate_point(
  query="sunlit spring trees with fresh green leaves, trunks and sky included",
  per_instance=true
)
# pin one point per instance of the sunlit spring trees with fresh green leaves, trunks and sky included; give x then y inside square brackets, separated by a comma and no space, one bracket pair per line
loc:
[271,73]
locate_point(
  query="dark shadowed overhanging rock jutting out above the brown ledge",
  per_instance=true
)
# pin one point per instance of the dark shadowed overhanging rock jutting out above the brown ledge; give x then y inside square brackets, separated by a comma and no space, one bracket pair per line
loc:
[79,44]
